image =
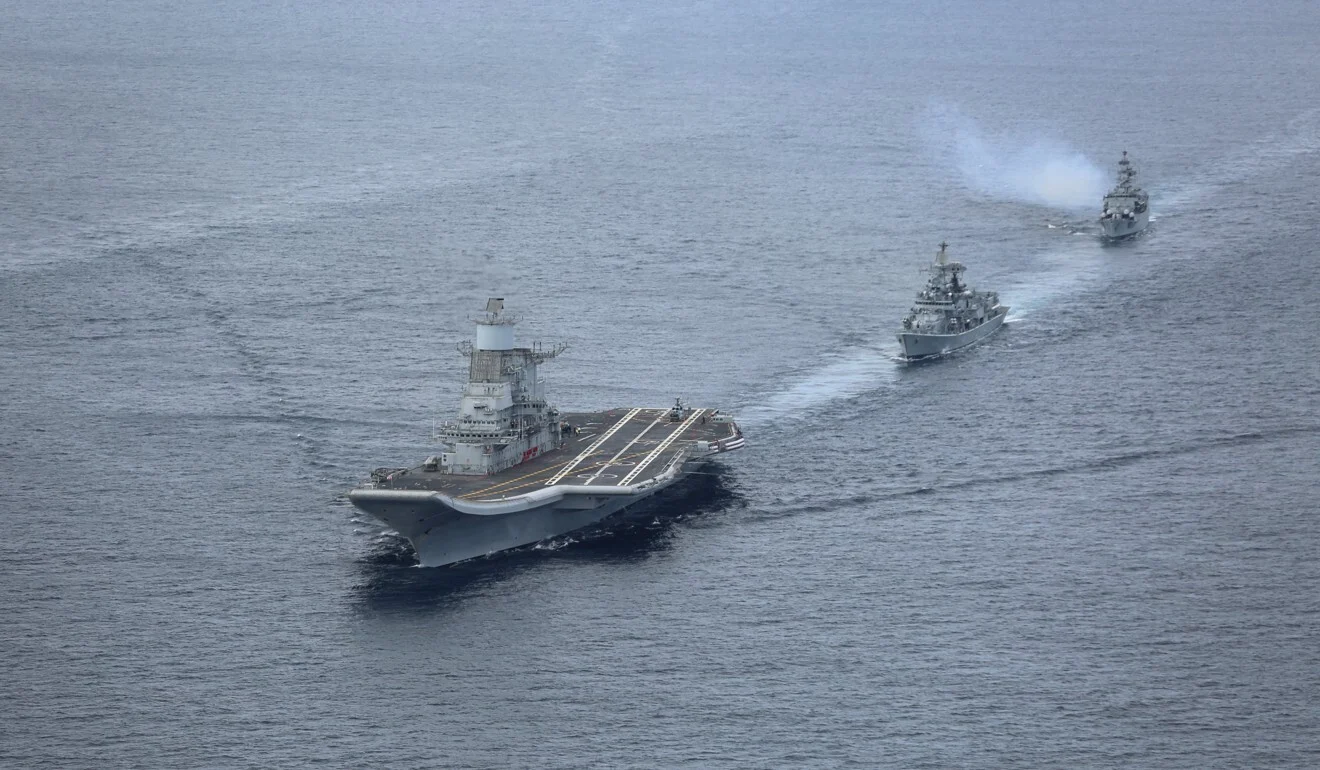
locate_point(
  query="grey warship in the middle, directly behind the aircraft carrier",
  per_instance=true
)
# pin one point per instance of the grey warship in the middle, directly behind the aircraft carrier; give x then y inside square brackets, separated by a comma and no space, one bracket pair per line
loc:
[948,315]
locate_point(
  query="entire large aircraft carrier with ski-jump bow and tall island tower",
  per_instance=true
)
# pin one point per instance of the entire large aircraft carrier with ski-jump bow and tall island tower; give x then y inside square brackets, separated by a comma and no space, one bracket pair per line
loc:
[515,471]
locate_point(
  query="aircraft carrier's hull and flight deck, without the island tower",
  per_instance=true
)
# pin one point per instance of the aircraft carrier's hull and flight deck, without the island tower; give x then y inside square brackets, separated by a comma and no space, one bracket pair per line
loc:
[608,462]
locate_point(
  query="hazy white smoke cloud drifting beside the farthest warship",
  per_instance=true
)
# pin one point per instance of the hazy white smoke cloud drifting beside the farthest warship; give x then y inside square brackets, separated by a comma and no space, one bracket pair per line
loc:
[1029,170]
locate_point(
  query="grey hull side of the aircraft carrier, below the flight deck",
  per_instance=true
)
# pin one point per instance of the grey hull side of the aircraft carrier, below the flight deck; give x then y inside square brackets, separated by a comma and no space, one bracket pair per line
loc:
[444,536]
